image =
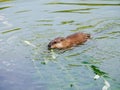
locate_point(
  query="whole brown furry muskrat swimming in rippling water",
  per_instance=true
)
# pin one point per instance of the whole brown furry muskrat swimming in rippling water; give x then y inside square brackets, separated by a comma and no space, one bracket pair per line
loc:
[69,41]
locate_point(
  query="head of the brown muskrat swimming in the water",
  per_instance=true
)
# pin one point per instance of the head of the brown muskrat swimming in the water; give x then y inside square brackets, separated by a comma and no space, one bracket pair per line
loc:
[56,43]
